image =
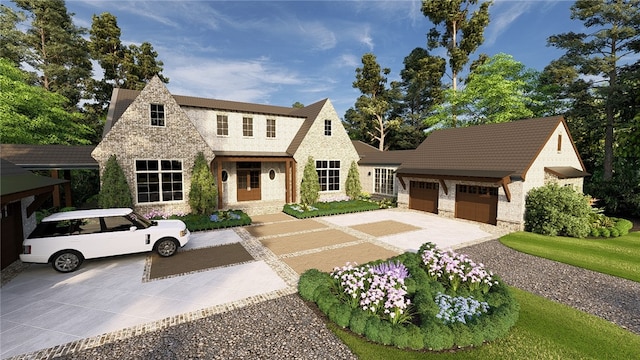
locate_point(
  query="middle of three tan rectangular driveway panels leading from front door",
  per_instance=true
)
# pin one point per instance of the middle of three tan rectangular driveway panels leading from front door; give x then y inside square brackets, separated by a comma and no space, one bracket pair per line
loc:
[300,242]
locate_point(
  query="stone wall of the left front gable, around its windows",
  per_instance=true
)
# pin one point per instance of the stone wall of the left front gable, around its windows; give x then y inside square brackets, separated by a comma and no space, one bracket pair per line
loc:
[134,138]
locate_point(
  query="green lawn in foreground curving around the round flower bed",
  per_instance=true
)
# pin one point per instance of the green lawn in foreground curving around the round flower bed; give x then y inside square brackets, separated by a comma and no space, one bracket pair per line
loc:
[545,330]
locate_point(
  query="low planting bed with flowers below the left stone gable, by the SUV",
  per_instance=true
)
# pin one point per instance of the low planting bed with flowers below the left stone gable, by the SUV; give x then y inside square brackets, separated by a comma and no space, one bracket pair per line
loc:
[217,220]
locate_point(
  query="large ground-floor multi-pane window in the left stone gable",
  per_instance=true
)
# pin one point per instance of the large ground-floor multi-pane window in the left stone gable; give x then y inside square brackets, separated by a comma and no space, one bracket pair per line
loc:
[159,180]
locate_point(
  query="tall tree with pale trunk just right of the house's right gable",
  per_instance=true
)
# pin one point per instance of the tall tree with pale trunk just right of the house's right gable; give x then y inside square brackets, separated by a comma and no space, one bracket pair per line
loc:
[373,105]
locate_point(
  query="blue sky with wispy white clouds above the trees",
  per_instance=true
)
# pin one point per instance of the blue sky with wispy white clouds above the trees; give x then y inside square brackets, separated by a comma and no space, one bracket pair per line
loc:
[280,52]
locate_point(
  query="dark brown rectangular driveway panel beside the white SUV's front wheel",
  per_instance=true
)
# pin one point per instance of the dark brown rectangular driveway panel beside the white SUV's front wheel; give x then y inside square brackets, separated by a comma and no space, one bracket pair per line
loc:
[198,259]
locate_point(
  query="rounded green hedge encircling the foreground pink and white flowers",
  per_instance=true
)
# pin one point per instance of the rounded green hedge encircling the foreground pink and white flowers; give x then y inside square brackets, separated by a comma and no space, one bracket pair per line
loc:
[425,330]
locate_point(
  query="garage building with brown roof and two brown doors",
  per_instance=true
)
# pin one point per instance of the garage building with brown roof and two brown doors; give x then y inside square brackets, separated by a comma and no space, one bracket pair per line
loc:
[483,173]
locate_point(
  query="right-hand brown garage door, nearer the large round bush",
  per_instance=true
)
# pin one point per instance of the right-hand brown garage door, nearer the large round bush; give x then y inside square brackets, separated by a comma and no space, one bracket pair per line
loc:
[477,203]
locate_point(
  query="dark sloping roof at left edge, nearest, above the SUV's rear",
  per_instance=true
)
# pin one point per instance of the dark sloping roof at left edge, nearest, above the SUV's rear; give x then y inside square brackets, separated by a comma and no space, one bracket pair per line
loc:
[16,180]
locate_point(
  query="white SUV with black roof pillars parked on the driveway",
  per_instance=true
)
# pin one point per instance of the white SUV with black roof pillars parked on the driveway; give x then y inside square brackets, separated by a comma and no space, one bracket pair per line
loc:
[65,239]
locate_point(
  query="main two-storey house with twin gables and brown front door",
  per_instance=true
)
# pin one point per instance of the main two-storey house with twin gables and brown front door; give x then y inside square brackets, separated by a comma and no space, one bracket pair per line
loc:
[256,152]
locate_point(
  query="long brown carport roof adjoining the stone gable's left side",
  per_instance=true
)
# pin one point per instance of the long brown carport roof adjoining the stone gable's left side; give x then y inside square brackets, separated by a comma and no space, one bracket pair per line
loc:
[49,157]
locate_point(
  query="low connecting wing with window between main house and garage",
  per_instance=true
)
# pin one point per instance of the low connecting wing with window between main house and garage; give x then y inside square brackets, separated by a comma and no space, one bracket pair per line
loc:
[378,169]
